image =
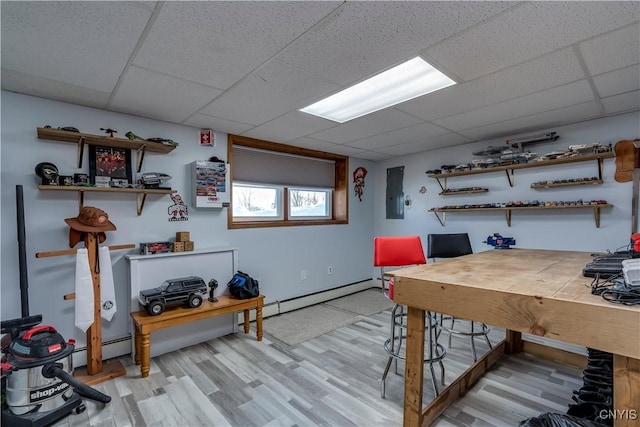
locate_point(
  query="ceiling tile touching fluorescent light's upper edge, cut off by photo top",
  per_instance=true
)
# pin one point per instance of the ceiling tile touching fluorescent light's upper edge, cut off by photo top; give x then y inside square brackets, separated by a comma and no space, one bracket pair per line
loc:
[366,37]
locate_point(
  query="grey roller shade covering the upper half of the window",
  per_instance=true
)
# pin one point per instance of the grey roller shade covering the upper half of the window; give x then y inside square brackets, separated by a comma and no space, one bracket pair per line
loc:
[271,167]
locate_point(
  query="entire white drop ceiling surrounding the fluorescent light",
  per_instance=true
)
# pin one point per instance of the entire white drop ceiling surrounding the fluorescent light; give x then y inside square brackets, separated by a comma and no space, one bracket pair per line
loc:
[246,67]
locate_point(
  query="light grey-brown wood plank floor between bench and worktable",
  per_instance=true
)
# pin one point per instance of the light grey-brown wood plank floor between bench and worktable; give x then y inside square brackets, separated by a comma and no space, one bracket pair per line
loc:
[331,380]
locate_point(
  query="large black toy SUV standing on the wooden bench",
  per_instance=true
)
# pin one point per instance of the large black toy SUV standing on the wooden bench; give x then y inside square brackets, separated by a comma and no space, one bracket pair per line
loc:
[189,290]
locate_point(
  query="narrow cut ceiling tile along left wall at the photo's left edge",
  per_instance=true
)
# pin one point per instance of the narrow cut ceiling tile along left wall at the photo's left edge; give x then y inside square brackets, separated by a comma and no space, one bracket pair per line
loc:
[52,89]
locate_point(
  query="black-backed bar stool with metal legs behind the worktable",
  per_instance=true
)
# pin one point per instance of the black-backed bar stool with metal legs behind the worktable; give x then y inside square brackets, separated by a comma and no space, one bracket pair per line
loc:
[450,246]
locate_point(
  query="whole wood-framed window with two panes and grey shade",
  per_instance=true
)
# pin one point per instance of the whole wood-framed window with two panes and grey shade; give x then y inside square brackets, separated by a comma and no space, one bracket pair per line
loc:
[279,185]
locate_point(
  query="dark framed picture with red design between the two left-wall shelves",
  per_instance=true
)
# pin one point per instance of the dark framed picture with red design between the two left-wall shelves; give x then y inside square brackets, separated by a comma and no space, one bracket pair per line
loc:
[109,166]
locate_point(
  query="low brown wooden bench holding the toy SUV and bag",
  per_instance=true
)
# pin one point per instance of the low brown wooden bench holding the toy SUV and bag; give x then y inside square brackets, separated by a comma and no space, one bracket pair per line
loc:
[144,323]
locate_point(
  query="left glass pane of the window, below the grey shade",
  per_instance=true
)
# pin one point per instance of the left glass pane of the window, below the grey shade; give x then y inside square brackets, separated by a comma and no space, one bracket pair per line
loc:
[256,201]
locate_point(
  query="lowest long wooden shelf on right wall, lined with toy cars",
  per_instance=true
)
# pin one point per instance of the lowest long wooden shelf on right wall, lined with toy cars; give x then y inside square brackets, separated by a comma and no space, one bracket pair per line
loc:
[595,205]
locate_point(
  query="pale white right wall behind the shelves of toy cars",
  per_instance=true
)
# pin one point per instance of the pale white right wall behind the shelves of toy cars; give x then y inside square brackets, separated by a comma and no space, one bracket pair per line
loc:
[554,229]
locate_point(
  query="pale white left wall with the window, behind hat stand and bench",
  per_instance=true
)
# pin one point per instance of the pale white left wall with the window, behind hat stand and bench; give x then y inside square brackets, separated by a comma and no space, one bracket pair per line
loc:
[274,255]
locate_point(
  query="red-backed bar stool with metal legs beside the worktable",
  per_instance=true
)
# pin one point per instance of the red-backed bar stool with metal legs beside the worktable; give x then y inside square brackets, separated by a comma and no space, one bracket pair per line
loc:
[401,252]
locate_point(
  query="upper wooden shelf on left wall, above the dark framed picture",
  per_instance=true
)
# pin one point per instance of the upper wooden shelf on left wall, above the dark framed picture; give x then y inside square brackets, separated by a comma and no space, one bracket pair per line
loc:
[83,139]
